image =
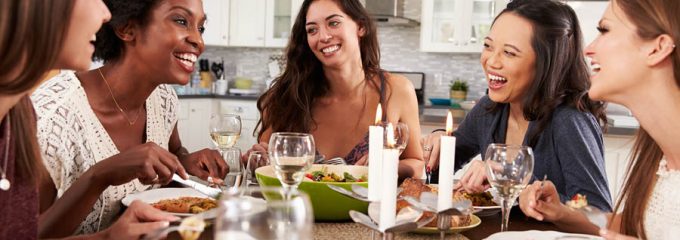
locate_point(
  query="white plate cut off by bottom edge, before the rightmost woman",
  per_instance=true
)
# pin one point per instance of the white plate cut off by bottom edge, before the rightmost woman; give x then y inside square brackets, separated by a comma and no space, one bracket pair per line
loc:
[541,235]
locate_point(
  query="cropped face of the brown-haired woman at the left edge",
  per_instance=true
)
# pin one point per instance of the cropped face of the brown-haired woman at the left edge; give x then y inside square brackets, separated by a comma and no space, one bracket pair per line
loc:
[86,19]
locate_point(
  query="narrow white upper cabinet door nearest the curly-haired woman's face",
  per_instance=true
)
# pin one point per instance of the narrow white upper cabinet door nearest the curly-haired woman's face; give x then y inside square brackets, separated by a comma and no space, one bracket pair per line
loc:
[217,27]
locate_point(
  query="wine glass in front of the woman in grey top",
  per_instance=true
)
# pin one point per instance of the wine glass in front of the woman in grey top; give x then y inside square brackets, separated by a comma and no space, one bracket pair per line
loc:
[509,169]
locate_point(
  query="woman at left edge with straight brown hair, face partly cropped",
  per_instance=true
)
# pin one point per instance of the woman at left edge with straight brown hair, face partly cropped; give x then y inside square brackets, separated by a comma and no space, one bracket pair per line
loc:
[35,37]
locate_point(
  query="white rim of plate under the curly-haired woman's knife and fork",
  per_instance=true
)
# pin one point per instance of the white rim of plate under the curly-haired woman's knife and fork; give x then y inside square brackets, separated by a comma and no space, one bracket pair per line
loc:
[155,195]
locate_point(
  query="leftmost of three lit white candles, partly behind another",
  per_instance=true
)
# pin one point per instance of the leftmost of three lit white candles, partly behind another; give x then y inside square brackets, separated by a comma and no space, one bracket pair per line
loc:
[375,144]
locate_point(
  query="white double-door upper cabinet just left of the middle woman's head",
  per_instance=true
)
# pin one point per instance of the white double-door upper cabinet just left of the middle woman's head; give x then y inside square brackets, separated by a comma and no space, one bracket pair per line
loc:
[261,23]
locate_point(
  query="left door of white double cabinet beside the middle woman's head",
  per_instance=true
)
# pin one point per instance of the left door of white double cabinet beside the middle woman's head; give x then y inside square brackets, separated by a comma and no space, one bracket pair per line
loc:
[247,23]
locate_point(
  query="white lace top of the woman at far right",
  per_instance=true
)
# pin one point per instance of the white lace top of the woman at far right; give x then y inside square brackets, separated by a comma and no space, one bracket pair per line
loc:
[662,217]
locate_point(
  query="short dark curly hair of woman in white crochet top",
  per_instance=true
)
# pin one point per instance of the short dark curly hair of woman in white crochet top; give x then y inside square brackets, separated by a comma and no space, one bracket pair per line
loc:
[109,46]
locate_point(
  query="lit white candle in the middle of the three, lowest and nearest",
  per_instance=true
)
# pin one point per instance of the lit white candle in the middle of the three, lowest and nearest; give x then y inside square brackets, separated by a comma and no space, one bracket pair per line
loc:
[390,165]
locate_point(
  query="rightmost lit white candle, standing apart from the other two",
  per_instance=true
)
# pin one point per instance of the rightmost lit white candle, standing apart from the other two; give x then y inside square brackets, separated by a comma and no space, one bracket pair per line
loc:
[447,154]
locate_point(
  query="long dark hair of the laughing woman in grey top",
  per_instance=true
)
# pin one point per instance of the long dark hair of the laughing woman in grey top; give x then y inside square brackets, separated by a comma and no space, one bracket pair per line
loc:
[561,74]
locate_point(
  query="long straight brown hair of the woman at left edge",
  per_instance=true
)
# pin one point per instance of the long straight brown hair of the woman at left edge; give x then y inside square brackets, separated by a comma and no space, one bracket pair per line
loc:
[31,34]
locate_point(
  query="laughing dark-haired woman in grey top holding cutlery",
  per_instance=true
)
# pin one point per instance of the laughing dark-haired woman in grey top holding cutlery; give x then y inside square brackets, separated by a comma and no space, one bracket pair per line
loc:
[537,97]
